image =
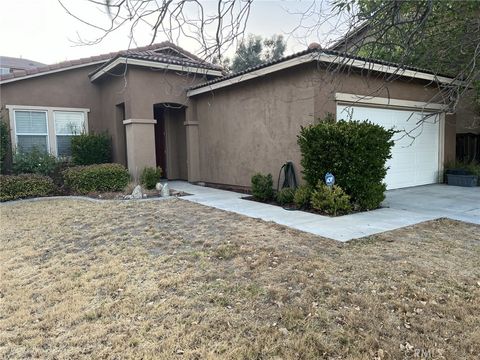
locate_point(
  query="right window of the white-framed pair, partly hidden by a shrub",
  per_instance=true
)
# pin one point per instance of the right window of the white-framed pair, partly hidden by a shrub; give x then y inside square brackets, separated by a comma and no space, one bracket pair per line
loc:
[67,125]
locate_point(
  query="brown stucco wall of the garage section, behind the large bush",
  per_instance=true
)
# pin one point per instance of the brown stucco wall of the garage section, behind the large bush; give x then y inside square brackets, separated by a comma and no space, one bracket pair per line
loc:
[253,126]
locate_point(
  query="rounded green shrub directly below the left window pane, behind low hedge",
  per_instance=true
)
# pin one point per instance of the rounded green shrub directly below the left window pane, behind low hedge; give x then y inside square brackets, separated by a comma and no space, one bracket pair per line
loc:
[34,161]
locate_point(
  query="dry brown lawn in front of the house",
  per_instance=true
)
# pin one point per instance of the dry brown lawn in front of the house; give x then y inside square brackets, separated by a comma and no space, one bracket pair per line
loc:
[177,280]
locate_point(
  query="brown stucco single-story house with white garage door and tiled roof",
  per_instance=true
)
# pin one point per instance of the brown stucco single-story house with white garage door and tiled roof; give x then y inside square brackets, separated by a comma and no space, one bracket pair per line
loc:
[165,107]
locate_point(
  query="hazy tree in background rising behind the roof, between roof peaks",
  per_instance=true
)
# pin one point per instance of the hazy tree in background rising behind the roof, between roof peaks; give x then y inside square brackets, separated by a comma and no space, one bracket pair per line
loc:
[255,51]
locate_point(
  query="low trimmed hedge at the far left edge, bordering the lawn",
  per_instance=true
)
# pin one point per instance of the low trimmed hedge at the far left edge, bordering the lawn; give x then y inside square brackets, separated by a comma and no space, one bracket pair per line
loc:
[24,186]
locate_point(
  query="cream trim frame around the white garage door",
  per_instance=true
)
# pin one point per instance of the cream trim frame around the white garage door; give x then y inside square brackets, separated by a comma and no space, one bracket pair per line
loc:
[399,104]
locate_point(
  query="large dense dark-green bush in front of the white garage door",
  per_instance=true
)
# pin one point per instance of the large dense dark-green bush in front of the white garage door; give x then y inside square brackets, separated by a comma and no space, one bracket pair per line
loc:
[355,152]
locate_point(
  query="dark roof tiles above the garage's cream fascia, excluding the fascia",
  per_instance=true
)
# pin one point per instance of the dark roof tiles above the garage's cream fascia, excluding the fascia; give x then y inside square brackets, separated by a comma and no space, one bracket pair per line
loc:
[310,50]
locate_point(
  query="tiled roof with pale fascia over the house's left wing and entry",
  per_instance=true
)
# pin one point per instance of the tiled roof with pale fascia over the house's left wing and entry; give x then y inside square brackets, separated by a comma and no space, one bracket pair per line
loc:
[168,50]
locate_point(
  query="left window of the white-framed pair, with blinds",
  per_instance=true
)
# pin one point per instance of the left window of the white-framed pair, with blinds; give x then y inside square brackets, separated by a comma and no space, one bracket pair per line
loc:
[31,130]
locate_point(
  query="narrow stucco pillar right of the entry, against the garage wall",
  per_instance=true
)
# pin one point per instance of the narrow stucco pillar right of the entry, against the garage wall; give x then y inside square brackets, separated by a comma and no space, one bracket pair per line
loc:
[193,145]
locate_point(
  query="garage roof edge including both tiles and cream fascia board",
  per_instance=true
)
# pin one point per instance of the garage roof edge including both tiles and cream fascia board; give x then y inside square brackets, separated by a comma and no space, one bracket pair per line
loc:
[314,52]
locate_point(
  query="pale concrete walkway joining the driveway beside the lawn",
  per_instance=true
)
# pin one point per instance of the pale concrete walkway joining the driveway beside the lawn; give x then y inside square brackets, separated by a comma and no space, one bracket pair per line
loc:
[403,207]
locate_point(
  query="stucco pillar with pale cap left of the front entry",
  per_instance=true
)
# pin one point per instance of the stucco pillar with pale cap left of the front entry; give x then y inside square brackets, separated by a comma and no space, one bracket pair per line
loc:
[140,136]
